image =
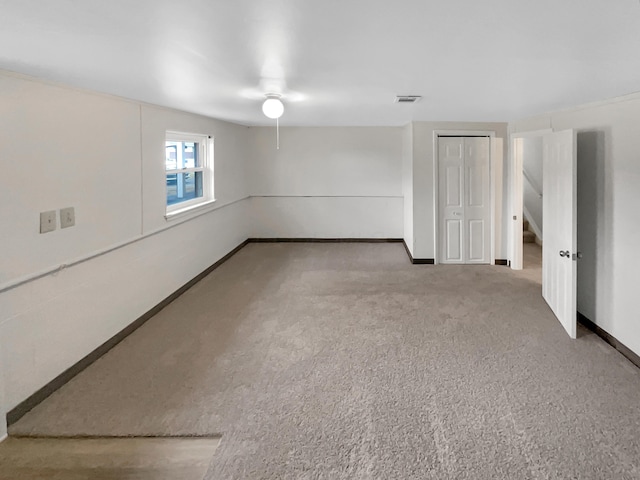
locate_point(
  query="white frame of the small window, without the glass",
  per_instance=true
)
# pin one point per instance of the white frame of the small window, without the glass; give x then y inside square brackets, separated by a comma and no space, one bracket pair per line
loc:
[205,154]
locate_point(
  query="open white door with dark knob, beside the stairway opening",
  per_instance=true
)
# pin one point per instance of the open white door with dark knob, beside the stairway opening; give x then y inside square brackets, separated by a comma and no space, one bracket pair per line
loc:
[559,246]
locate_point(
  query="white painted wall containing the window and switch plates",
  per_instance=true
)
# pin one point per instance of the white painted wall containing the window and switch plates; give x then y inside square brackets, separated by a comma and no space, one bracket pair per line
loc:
[102,155]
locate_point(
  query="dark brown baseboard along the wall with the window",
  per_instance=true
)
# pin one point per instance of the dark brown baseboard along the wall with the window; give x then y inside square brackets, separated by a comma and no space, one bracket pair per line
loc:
[42,393]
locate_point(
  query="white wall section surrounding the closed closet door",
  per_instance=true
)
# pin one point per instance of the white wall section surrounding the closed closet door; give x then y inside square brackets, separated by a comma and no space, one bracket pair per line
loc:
[424,185]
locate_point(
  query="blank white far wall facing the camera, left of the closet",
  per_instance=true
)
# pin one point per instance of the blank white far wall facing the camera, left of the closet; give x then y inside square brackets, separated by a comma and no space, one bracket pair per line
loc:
[327,182]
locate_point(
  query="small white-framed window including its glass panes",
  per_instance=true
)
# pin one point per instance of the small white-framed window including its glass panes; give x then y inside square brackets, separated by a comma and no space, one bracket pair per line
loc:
[188,170]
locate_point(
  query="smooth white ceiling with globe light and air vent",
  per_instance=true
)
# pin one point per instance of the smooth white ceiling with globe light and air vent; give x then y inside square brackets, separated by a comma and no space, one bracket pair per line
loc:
[337,62]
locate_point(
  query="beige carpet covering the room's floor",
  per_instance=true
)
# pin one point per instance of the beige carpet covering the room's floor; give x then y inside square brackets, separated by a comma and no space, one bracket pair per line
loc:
[344,361]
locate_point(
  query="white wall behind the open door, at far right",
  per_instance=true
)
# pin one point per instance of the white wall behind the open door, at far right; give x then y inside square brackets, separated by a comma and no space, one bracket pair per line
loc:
[608,200]
